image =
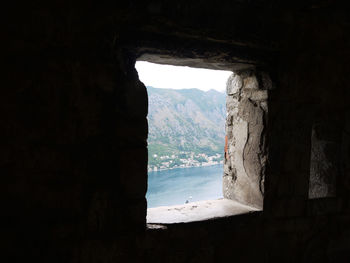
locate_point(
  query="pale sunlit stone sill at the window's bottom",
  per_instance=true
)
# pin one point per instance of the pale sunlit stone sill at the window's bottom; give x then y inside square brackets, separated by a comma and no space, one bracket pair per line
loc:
[197,211]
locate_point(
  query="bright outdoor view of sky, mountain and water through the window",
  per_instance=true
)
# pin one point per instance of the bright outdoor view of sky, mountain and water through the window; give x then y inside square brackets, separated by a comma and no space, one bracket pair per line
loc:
[186,138]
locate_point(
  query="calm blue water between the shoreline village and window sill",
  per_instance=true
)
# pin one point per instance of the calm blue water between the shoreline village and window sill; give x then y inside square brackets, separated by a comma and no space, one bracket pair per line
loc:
[173,187]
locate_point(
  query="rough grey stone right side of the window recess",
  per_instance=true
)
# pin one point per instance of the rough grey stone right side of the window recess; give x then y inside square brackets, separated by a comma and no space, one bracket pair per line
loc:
[244,167]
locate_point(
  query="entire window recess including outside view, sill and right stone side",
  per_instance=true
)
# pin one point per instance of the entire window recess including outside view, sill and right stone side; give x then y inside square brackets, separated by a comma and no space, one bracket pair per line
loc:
[239,187]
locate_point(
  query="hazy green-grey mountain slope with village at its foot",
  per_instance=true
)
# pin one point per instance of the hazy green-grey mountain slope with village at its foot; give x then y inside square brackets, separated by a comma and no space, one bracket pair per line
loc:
[186,124]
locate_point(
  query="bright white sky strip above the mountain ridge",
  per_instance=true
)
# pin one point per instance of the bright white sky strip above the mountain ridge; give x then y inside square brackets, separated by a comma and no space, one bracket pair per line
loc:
[176,77]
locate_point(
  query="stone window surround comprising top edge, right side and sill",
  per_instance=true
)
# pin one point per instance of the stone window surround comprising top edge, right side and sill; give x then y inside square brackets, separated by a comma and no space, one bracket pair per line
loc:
[249,87]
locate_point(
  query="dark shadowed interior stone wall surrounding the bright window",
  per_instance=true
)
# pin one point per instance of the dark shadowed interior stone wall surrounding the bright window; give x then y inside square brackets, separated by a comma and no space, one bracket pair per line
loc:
[74,129]
